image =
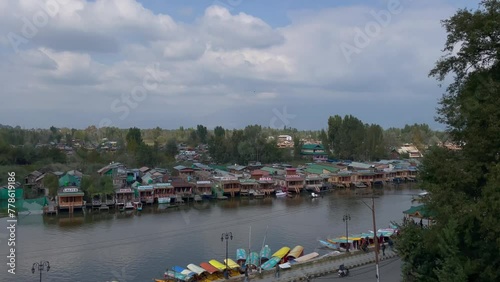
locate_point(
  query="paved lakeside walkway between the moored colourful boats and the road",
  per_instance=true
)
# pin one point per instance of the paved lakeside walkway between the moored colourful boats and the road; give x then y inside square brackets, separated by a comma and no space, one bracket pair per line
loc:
[318,268]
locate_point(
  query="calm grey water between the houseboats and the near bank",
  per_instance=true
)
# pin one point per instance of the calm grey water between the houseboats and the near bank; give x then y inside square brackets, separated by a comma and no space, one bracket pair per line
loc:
[139,246]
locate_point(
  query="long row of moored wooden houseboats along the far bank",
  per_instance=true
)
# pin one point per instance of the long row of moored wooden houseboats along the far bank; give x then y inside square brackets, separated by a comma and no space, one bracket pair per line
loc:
[201,182]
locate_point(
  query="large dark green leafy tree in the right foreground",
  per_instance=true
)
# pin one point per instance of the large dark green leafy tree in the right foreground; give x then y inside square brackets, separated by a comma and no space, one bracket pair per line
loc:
[464,184]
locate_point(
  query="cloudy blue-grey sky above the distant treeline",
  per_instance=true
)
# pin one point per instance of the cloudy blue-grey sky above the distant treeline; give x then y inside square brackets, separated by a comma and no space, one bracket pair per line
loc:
[233,63]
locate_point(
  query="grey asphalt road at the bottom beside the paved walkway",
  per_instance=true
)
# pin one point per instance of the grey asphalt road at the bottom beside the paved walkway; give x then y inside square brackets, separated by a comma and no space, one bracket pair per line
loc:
[390,271]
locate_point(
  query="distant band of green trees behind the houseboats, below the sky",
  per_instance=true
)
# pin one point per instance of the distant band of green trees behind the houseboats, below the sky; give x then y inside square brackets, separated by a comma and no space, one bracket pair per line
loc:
[344,138]
